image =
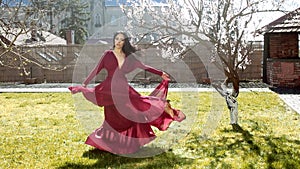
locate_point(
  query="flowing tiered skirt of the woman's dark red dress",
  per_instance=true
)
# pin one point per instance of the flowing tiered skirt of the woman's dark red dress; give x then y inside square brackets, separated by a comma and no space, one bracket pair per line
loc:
[129,117]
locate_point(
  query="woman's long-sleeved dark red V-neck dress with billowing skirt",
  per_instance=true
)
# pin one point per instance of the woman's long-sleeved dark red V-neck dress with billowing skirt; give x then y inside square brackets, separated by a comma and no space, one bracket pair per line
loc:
[128,115]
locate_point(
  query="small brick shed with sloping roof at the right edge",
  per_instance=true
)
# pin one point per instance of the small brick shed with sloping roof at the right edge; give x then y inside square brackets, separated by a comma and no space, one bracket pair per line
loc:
[281,60]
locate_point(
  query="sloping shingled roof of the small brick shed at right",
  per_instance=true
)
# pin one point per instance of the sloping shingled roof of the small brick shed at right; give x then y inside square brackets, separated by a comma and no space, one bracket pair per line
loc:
[287,23]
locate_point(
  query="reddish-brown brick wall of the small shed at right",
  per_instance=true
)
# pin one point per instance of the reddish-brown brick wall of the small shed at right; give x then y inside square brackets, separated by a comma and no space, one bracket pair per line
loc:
[282,60]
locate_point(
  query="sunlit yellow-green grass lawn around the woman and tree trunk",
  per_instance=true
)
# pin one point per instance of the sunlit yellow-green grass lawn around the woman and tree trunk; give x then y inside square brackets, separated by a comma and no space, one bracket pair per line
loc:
[41,130]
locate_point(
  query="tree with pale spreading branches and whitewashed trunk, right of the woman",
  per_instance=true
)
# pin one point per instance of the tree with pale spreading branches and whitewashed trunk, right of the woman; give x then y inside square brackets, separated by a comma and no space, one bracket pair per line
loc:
[224,23]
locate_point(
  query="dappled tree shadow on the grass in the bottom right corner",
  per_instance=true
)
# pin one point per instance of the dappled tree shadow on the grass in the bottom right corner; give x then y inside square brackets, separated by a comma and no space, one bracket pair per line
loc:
[275,152]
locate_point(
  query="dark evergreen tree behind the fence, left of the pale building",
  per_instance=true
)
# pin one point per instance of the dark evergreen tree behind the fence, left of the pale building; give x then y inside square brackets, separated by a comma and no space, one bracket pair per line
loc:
[75,16]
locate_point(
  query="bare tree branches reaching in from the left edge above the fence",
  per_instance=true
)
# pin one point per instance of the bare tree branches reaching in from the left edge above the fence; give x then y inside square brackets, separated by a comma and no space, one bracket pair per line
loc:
[22,18]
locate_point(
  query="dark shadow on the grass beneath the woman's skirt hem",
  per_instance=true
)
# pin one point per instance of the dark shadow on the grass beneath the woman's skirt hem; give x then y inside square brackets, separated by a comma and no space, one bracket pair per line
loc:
[108,160]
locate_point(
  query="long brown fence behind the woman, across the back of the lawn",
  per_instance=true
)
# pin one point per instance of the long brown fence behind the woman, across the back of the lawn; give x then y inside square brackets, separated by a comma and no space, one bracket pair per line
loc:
[74,62]
